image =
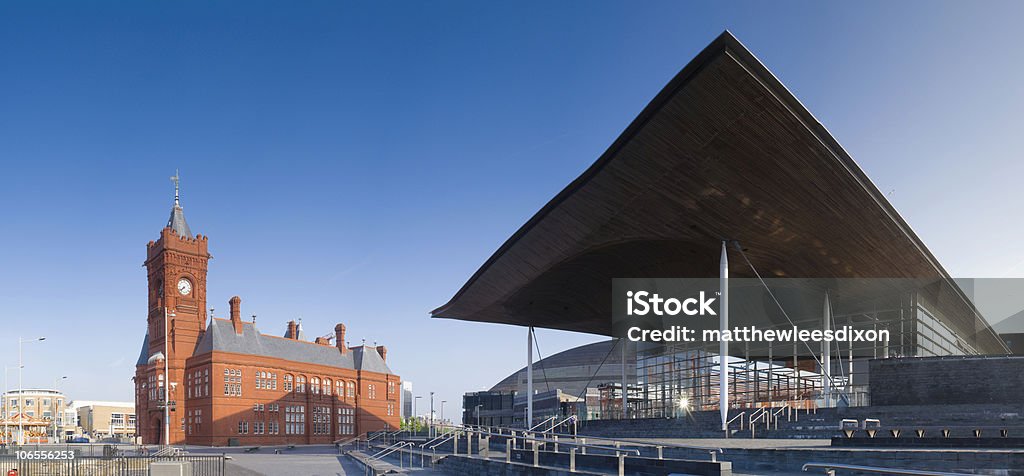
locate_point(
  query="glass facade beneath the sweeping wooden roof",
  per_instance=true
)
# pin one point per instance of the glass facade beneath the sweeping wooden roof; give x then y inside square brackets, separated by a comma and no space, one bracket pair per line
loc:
[675,378]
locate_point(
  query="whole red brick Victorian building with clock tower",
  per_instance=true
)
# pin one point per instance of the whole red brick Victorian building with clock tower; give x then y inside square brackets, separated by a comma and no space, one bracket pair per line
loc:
[232,384]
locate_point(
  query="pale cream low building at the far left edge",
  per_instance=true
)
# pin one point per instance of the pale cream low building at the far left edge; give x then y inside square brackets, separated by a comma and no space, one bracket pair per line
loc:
[41,412]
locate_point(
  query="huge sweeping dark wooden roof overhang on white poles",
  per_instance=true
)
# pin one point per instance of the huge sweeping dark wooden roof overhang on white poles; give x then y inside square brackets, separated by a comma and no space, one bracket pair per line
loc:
[723,152]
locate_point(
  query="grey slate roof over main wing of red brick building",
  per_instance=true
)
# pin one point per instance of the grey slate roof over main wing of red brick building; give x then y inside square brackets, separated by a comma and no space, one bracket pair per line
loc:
[221,336]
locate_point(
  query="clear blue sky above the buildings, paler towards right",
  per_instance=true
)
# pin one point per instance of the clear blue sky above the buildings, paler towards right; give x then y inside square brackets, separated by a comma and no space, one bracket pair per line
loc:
[357,163]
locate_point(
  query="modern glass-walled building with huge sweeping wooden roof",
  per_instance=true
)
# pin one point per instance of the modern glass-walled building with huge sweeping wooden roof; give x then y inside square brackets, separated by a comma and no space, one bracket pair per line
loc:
[727,170]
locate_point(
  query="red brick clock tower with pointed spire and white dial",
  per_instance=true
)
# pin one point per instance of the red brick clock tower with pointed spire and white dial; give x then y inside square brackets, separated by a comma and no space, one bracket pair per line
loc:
[177,267]
